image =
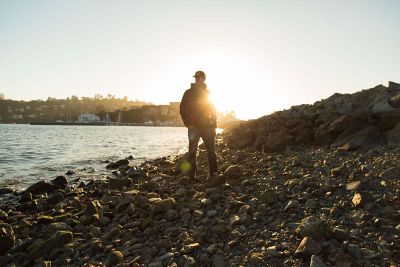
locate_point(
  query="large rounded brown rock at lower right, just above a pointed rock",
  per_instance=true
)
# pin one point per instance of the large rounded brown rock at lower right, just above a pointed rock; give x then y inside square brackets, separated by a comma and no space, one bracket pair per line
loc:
[314,228]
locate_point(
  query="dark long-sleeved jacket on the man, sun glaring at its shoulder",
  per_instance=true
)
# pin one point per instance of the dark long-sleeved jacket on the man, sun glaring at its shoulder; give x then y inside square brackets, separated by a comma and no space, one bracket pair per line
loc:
[196,109]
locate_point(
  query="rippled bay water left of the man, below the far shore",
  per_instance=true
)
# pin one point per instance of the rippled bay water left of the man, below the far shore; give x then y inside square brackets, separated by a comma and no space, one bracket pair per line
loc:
[32,152]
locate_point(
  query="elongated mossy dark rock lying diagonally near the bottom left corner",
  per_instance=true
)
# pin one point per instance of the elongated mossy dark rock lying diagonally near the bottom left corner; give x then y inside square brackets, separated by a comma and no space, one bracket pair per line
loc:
[58,240]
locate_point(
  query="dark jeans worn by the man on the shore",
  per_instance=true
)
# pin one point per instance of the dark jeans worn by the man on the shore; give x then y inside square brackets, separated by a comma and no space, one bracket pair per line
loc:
[208,137]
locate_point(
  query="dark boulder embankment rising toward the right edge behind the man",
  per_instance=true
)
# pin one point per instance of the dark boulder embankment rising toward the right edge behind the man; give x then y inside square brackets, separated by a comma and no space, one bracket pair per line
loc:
[350,121]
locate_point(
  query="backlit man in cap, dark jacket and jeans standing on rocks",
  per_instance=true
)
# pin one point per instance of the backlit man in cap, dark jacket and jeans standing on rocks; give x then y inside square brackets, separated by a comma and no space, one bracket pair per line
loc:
[199,116]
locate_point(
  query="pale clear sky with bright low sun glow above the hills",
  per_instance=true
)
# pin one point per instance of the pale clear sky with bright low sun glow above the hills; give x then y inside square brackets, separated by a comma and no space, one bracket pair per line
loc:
[259,56]
